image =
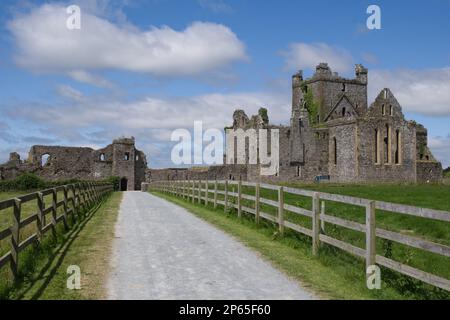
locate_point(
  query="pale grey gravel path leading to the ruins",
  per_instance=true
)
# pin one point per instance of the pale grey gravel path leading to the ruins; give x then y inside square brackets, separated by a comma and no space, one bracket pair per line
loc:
[161,251]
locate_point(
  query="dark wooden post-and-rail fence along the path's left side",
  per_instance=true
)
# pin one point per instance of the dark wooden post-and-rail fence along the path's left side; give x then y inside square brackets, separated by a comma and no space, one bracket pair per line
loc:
[76,200]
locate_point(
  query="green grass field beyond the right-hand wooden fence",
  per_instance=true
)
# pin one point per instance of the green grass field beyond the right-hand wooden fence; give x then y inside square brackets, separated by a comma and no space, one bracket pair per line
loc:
[429,196]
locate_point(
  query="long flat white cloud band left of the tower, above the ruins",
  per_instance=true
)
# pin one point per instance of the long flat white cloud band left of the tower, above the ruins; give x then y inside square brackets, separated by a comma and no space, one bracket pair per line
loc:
[151,113]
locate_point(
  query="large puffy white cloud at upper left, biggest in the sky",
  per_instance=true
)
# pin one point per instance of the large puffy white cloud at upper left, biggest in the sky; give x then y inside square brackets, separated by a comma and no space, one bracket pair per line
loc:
[44,43]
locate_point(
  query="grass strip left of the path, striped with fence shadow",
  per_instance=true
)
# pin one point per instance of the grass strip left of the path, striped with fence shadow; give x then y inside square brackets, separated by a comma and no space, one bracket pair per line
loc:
[88,245]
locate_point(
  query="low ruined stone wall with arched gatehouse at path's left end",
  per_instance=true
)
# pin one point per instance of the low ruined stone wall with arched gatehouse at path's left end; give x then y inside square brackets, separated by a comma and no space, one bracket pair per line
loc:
[121,158]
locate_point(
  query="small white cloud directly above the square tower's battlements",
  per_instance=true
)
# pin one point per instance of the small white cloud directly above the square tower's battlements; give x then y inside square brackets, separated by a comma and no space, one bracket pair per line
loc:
[308,56]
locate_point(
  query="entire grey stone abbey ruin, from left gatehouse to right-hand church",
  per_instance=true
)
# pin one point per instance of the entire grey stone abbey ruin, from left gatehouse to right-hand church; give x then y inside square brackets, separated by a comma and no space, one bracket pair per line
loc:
[333,135]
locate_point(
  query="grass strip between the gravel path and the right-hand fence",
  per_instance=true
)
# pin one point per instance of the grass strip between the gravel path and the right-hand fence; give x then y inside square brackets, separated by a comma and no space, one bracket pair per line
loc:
[331,275]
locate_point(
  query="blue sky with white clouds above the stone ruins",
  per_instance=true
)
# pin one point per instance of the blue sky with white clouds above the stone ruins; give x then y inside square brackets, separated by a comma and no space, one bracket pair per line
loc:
[144,68]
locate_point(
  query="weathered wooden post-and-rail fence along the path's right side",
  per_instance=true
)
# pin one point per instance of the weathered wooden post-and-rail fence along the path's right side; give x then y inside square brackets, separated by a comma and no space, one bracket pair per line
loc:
[192,190]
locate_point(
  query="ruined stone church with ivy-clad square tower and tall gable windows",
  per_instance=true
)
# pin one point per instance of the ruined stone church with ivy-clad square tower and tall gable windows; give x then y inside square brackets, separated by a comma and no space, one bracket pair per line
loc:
[335,135]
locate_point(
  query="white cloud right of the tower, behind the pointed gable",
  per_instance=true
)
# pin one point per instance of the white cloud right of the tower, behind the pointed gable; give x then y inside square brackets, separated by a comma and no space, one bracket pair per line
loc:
[424,92]
